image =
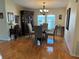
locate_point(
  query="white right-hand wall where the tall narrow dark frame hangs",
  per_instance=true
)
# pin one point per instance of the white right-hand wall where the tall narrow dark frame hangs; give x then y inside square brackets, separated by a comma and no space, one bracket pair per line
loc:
[71,35]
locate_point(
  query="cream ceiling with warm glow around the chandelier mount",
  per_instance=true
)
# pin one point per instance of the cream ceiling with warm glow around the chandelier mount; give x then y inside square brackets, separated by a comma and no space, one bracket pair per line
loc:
[35,4]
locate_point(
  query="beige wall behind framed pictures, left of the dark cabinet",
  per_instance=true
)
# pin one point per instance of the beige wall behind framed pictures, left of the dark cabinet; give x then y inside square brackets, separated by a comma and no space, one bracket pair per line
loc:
[12,7]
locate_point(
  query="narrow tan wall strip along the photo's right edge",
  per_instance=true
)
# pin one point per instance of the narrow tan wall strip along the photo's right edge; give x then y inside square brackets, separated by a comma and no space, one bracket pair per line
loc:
[76,50]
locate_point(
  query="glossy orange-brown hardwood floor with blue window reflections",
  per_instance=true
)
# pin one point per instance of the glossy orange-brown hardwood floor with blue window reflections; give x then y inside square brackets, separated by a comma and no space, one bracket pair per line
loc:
[24,48]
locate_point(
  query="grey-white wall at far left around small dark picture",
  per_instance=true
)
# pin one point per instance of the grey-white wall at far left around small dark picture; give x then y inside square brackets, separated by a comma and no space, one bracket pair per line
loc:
[3,22]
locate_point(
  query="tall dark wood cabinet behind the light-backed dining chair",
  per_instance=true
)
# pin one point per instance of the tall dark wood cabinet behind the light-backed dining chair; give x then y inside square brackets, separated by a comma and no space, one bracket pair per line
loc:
[26,17]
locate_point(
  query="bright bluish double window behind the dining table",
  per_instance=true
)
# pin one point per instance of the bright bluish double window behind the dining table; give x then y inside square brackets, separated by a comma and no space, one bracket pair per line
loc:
[50,20]
